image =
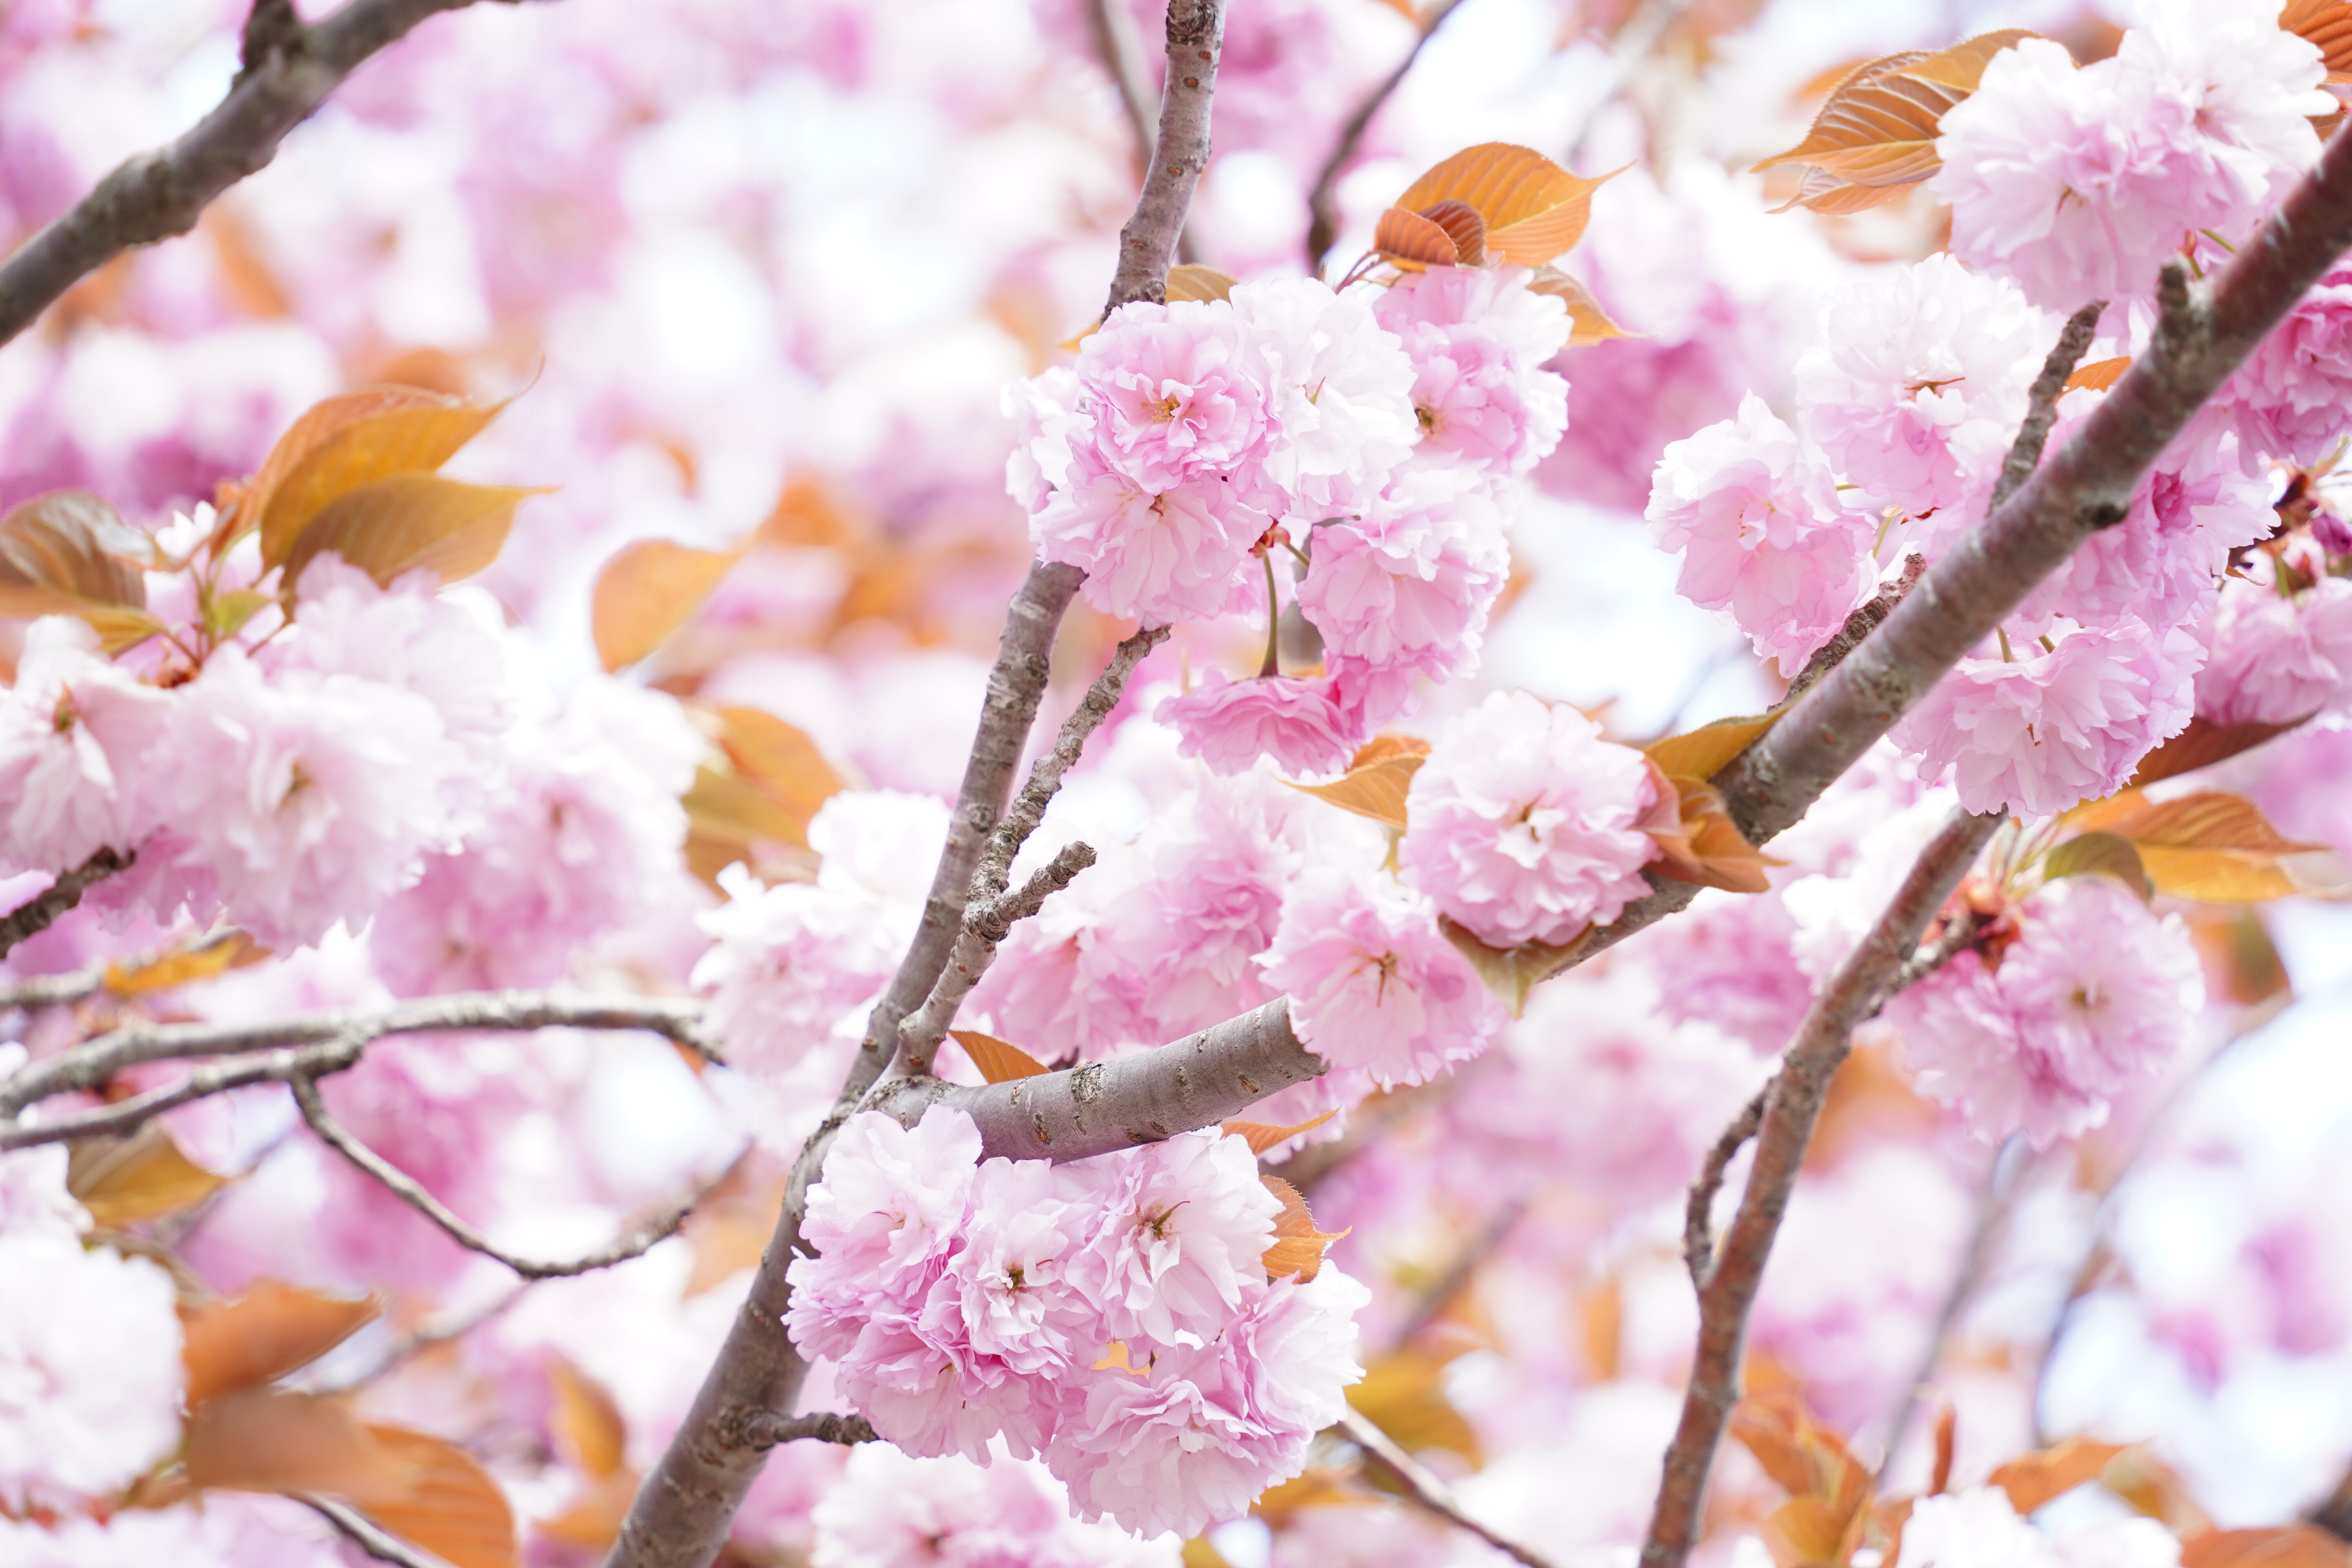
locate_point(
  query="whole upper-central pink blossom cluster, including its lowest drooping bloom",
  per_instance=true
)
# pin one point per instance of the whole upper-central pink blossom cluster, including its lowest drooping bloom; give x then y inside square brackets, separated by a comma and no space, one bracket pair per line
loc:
[1377,438]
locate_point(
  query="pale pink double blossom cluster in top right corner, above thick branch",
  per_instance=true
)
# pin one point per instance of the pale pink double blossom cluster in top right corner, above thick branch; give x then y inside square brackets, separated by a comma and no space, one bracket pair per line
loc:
[2080,182]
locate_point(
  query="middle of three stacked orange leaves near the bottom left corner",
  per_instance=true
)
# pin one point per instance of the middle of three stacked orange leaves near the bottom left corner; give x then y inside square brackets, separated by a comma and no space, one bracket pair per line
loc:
[260,1440]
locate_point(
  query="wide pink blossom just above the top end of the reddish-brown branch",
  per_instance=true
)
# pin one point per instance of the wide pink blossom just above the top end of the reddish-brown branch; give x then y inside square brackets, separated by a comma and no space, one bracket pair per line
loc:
[2050,728]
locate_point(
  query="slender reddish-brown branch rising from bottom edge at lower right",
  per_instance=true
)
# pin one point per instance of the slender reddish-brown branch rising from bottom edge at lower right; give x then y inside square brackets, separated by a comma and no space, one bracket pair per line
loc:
[1791,1111]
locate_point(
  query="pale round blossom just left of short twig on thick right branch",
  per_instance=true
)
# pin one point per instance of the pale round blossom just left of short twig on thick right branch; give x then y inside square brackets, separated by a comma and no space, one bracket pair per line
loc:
[1918,384]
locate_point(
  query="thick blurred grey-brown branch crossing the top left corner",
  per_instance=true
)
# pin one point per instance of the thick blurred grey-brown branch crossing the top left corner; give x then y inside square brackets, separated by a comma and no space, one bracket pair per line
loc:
[286,76]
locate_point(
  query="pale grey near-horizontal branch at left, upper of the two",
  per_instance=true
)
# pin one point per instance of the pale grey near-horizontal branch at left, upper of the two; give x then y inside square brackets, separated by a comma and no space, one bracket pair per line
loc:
[98,1061]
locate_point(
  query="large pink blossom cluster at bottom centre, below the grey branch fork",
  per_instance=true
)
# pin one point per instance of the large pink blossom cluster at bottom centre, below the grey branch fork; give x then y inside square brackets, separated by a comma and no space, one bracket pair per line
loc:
[970,1301]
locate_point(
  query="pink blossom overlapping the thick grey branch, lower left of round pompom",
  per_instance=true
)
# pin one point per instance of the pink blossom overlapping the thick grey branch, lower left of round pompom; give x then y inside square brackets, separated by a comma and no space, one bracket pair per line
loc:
[1372,981]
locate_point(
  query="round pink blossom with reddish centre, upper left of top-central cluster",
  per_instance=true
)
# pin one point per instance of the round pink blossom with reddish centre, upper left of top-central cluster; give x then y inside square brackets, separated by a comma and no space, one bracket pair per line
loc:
[1172,391]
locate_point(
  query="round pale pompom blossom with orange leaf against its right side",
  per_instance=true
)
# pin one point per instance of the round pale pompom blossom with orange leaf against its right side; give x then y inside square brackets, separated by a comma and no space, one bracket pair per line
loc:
[1525,824]
